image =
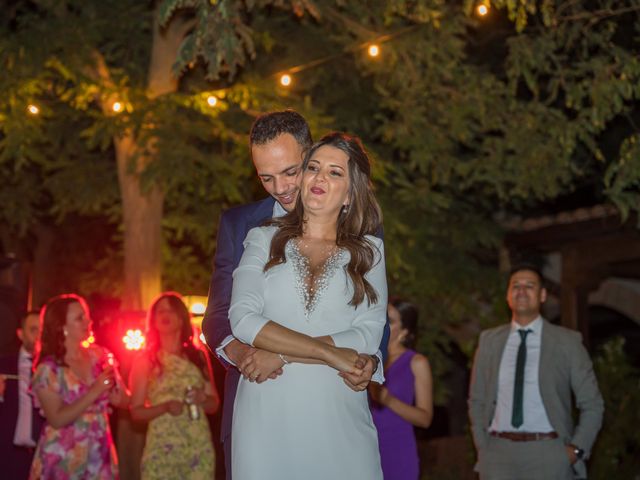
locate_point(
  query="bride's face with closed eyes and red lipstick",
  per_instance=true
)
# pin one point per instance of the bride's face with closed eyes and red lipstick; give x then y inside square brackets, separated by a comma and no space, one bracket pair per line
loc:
[326,182]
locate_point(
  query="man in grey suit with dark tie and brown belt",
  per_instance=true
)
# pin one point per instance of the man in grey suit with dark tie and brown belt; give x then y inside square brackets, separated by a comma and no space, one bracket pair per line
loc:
[520,394]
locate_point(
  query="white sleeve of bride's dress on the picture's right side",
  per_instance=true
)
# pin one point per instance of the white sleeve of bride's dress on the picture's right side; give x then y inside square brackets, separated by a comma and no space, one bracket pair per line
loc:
[366,330]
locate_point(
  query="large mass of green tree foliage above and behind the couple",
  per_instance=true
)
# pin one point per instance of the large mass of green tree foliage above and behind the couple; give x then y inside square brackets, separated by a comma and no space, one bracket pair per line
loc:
[468,119]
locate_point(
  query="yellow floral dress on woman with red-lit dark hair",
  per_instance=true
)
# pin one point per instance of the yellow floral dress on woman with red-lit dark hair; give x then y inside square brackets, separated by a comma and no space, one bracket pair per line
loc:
[177,446]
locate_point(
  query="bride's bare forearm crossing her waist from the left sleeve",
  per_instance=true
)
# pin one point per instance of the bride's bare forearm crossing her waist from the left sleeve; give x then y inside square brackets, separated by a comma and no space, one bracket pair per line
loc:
[278,339]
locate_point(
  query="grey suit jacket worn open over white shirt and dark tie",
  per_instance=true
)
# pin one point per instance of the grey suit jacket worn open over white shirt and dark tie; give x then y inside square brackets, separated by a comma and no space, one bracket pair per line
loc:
[565,367]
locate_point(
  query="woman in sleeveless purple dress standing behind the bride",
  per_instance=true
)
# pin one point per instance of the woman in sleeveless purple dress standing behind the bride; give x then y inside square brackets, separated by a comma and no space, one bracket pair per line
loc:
[405,400]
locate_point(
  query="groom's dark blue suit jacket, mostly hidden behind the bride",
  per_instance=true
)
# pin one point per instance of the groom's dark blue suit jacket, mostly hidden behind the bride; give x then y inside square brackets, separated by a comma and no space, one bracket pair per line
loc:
[234,225]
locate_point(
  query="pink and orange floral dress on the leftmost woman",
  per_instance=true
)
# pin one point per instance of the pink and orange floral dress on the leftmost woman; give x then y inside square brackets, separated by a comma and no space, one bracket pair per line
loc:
[84,449]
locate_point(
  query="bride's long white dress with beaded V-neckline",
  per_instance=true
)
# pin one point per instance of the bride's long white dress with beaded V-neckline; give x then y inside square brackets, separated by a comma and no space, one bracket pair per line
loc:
[306,424]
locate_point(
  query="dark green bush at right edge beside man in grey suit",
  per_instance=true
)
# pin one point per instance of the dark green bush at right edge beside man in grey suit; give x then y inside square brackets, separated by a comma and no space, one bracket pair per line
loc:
[615,454]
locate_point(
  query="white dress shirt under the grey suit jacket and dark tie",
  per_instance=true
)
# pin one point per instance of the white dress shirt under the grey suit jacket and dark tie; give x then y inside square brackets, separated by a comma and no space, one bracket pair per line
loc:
[535,415]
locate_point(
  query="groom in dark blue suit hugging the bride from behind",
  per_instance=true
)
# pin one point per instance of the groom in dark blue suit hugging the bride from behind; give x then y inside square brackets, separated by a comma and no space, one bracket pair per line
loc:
[278,141]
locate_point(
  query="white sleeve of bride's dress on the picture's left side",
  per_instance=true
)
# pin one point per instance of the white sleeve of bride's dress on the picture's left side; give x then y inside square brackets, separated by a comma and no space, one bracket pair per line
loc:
[247,295]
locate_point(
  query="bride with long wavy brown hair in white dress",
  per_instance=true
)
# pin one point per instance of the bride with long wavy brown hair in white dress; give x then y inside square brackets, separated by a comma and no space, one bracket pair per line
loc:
[311,291]
